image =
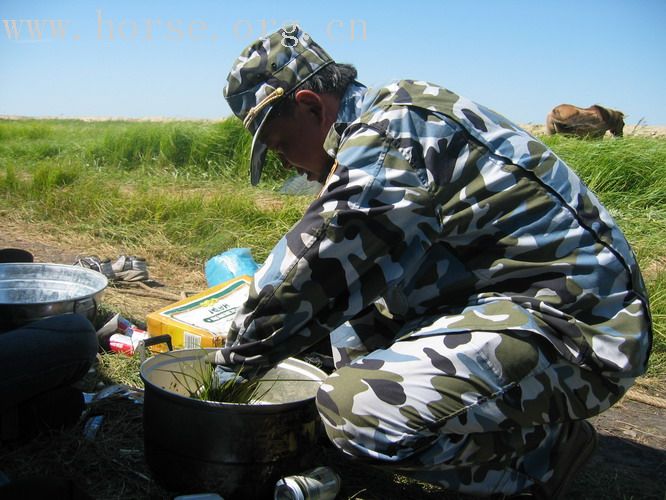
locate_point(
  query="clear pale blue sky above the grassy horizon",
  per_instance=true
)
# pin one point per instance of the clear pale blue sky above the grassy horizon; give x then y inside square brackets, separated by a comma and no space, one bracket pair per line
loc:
[170,59]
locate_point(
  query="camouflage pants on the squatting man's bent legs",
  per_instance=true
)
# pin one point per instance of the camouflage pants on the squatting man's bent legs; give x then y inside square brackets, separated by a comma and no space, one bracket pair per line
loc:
[477,412]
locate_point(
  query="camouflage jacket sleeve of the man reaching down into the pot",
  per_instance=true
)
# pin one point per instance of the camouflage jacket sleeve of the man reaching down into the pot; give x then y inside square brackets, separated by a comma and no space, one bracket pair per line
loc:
[367,228]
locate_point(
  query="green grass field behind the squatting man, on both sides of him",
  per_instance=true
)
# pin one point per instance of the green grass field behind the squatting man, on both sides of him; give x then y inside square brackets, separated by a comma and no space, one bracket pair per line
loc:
[182,188]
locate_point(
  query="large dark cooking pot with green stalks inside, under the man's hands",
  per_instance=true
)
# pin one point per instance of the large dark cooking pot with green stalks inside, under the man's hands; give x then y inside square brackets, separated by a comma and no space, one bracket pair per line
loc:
[238,450]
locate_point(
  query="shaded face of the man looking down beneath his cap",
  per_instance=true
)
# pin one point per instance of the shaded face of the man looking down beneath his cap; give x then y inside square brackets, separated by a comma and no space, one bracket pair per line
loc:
[297,137]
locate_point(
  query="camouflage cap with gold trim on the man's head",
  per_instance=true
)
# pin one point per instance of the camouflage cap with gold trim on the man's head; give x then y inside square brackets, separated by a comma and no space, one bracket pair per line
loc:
[265,72]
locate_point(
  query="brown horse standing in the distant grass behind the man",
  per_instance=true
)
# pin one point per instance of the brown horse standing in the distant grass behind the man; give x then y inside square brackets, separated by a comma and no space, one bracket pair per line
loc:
[584,122]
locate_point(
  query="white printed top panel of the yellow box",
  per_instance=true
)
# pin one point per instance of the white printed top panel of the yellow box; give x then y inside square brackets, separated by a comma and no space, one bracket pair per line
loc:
[213,312]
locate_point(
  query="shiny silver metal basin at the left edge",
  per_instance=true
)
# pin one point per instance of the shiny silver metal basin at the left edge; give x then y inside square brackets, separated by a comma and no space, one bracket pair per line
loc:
[33,291]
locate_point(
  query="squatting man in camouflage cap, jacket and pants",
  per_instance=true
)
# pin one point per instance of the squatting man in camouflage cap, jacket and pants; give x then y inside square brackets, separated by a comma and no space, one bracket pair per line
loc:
[480,301]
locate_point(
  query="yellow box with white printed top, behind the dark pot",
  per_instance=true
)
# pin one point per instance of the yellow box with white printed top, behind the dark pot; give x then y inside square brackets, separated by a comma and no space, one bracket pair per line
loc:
[201,320]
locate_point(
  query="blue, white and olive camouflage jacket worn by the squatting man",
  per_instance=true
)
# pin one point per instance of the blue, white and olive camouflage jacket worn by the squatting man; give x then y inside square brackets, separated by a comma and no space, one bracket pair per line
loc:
[447,218]
